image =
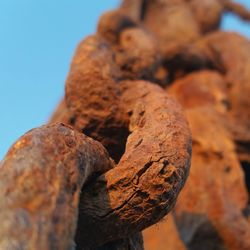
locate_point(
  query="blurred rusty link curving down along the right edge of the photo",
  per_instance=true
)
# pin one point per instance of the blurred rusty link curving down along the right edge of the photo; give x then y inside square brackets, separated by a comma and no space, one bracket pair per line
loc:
[232,52]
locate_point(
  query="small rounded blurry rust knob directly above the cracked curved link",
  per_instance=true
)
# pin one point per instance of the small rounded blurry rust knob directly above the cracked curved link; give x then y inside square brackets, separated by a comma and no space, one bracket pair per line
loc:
[137,54]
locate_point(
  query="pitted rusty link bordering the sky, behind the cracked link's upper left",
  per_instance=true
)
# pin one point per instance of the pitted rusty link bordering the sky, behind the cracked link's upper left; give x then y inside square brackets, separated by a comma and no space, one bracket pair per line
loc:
[92,95]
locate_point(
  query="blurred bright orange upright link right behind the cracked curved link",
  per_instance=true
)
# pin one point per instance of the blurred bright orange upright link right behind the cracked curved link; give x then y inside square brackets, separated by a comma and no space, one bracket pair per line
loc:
[211,211]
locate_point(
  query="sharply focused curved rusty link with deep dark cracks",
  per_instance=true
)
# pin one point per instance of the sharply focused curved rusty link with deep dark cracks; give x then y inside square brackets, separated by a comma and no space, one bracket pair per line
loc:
[143,187]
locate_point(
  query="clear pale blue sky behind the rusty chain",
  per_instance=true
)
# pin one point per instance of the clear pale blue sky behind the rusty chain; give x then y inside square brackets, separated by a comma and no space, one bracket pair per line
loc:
[37,41]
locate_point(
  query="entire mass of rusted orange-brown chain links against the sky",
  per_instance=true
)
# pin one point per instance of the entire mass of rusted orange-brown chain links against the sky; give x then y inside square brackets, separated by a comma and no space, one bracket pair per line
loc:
[177,45]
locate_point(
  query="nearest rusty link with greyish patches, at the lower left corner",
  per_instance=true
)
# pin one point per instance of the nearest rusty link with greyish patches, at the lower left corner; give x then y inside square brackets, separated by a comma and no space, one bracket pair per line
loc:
[41,178]
